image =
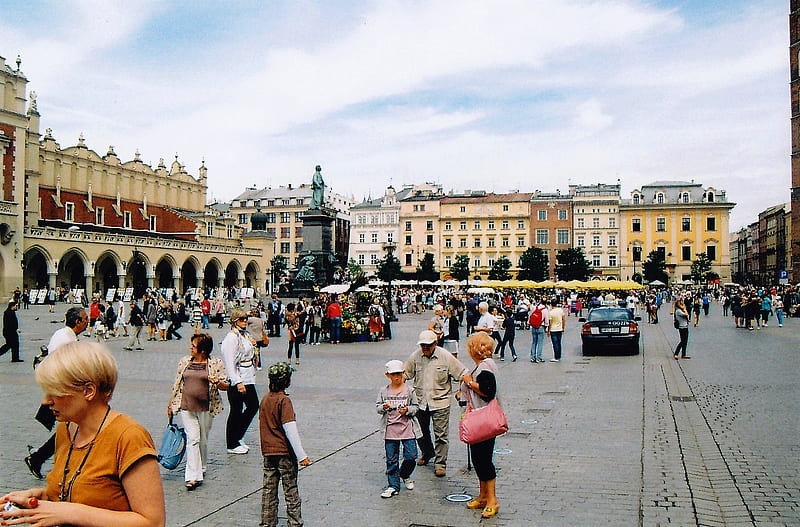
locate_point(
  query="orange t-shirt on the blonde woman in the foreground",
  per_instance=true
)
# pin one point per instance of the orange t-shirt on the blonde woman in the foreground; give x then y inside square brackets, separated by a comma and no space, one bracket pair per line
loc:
[121,443]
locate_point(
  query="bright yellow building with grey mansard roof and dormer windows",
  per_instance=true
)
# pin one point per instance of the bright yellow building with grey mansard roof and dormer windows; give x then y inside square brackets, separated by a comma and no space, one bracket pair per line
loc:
[679,219]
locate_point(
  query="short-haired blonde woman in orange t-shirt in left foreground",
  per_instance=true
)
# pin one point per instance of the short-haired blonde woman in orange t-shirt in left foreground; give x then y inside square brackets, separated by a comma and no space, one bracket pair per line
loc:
[105,470]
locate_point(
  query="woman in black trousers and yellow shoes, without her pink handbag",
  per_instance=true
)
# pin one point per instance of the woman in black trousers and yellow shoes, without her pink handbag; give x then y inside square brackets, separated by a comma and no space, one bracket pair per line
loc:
[479,387]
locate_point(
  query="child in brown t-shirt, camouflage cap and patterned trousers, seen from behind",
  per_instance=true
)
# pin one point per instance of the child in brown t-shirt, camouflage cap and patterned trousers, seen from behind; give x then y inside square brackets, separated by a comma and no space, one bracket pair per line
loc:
[281,448]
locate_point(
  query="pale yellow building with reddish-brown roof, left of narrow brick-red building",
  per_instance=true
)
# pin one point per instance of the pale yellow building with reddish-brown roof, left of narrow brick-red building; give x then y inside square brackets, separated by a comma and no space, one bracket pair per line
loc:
[484,227]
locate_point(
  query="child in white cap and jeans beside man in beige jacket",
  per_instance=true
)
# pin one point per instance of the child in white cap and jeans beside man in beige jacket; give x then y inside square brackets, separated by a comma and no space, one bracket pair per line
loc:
[397,405]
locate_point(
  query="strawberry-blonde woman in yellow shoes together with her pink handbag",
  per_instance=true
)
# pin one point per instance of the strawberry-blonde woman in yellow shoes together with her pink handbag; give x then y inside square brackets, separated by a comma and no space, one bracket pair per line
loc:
[479,388]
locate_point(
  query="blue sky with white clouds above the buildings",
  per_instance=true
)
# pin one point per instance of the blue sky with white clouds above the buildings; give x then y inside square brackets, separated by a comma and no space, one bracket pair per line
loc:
[497,95]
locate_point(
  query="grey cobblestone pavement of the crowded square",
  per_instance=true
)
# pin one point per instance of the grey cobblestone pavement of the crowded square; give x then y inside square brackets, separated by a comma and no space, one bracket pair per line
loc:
[607,440]
